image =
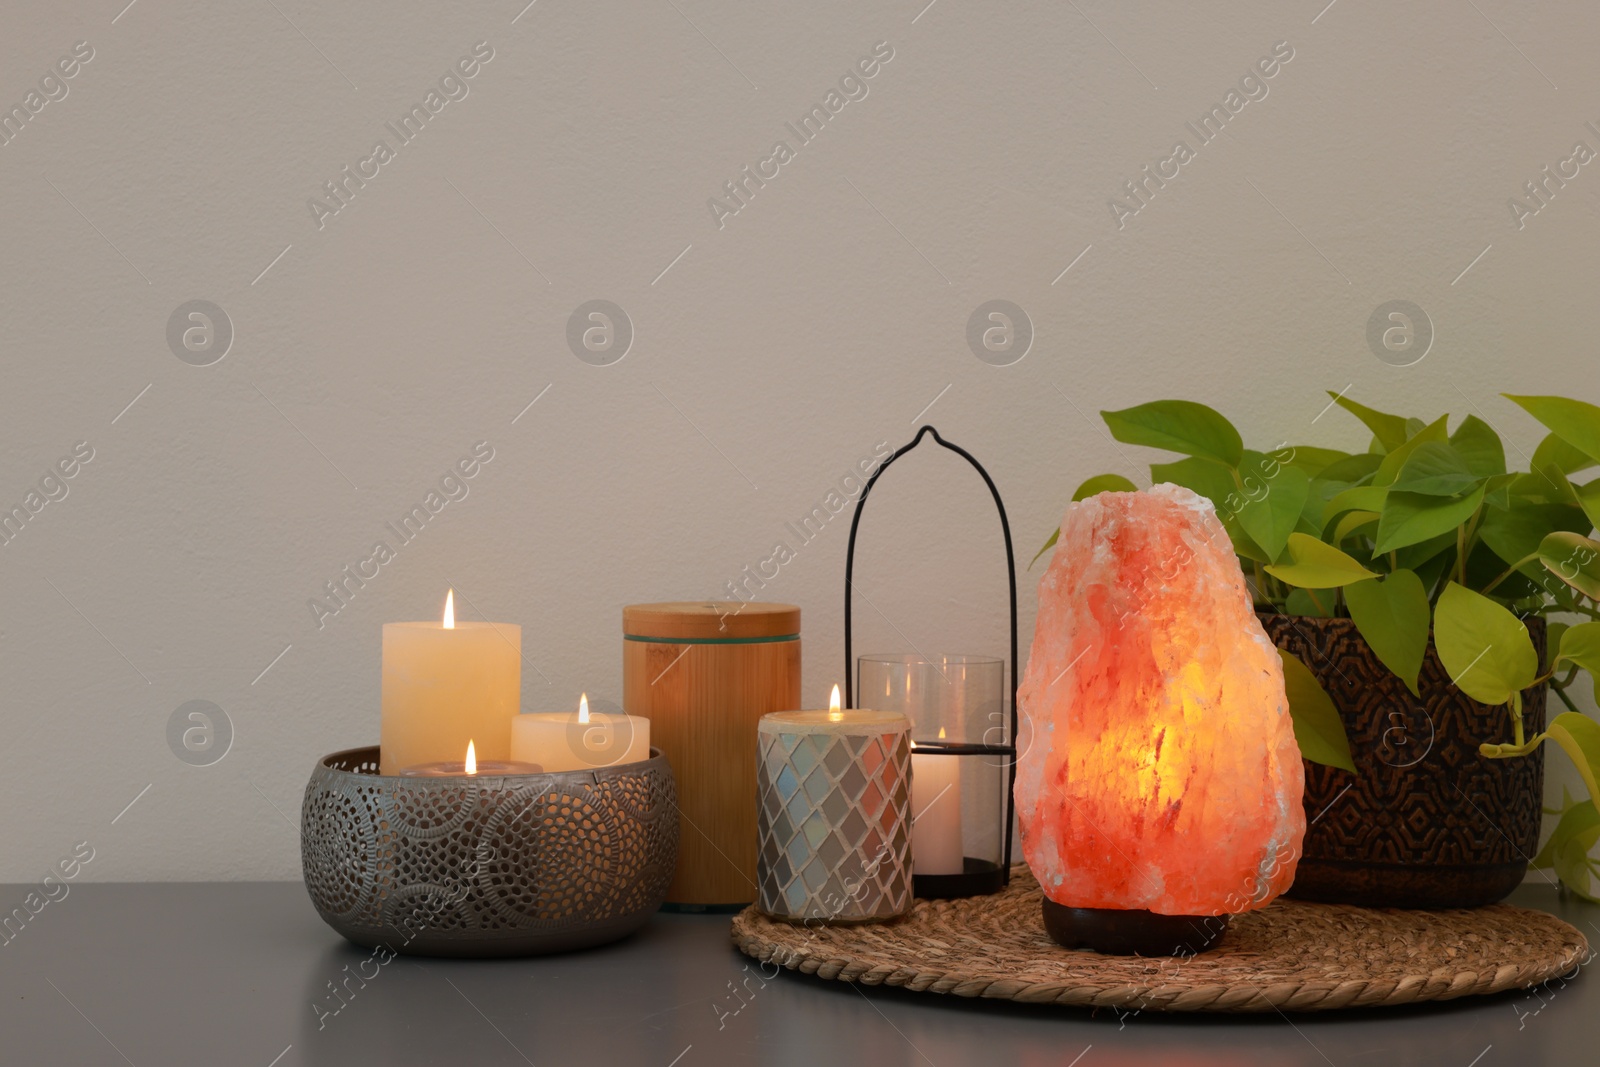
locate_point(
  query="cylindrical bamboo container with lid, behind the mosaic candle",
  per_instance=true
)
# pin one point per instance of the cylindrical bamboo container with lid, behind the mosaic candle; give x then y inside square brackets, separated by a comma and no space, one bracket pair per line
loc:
[705,673]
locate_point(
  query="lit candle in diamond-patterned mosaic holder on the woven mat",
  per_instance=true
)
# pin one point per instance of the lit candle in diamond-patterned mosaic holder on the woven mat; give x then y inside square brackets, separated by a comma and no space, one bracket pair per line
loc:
[834,813]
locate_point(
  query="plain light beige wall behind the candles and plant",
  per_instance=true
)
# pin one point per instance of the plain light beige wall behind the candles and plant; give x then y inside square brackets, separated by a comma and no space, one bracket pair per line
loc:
[770,353]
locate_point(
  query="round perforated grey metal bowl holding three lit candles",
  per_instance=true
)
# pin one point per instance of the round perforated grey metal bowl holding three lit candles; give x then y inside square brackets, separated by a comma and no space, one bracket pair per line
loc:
[487,866]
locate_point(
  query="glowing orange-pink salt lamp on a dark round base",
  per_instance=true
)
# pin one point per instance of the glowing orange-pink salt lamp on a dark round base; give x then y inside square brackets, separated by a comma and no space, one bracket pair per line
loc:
[1162,786]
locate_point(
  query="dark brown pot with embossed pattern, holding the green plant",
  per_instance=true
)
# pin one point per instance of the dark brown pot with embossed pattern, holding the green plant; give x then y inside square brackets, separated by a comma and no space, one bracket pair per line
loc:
[1425,821]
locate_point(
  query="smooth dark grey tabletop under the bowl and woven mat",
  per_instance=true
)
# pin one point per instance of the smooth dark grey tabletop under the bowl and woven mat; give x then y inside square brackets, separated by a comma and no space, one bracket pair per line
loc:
[209,973]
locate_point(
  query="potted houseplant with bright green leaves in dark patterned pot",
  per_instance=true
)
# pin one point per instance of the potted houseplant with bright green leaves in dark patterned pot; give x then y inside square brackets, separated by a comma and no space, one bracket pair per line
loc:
[1426,569]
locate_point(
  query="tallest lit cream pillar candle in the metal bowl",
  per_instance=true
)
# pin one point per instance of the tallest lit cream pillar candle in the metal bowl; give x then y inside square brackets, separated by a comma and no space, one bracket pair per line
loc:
[447,684]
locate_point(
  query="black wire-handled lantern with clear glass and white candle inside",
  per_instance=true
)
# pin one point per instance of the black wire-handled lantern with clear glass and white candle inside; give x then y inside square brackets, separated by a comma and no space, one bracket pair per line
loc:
[964,733]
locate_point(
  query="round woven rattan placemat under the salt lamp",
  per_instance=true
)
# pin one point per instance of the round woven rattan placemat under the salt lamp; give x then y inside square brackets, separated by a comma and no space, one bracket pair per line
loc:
[1290,956]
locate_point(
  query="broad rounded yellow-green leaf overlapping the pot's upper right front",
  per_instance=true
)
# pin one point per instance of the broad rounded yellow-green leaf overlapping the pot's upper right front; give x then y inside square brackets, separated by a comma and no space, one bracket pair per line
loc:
[1484,647]
